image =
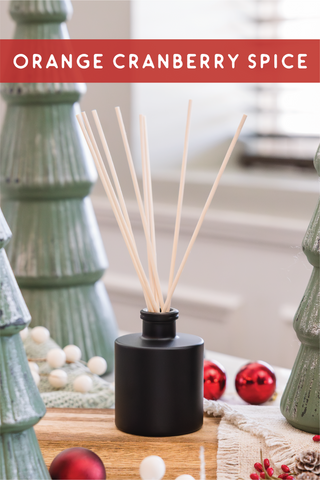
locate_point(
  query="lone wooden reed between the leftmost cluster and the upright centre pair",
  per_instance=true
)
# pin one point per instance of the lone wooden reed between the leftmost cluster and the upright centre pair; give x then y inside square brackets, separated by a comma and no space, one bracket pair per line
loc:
[140,204]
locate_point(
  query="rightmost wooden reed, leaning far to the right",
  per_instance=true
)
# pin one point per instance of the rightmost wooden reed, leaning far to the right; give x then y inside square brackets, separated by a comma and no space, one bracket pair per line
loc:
[204,211]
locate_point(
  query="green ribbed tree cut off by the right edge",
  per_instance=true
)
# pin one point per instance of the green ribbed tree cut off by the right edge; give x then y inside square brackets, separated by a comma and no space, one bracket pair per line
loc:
[300,403]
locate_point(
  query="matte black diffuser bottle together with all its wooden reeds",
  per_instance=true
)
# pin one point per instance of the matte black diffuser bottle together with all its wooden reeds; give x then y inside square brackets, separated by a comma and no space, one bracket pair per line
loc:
[158,374]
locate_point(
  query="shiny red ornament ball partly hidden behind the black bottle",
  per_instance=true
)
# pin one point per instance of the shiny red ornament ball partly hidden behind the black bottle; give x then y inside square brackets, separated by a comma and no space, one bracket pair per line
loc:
[214,380]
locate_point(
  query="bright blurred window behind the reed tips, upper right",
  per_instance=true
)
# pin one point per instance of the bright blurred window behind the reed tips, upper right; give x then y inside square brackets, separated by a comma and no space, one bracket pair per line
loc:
[284,120]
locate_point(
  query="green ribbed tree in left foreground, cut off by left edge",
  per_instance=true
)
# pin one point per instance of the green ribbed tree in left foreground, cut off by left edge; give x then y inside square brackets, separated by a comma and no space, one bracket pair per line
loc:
[21,406]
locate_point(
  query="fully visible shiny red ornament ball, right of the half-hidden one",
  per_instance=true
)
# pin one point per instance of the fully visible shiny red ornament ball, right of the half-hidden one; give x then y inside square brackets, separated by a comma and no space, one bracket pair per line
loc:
[256,382]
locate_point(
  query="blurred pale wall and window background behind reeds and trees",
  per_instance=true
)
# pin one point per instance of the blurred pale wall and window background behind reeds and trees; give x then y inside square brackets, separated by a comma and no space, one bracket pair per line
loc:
[247,274]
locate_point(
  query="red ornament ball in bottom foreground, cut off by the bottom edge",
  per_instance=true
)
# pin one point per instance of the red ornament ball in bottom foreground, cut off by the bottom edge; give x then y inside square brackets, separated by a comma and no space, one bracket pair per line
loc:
[77,464]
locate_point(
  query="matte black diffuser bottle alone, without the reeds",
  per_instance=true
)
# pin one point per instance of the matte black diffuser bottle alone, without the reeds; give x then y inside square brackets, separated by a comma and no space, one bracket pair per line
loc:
[159,379]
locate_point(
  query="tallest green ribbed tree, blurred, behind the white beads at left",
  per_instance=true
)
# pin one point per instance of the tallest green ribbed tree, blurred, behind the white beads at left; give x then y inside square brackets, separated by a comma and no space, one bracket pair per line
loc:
[46,175]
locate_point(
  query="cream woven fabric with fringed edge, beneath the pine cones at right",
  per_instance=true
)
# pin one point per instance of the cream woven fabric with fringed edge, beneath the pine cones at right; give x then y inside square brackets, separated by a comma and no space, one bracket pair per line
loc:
[244,430]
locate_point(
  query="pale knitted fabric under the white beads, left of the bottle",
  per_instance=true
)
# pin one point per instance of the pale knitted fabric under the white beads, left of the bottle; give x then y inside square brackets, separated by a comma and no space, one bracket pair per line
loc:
[101,395]
